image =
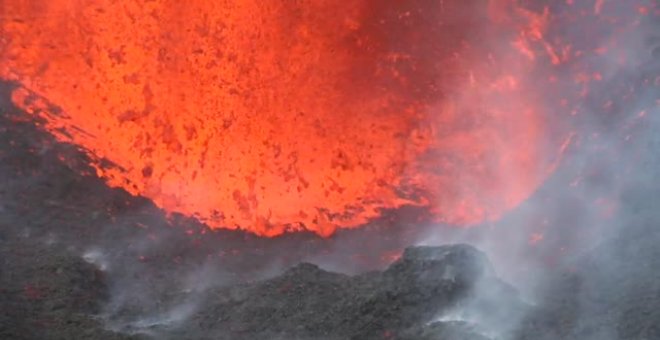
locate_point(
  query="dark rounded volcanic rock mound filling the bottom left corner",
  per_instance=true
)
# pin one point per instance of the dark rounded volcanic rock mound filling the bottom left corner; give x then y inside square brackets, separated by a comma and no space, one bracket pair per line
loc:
[49,293]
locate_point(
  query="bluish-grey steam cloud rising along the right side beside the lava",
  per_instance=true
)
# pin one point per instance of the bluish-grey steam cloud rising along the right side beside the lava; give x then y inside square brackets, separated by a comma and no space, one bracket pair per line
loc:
[600,195]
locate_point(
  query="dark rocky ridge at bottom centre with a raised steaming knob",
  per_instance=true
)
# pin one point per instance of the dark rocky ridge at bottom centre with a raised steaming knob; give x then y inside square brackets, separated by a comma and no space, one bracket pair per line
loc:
[307,302]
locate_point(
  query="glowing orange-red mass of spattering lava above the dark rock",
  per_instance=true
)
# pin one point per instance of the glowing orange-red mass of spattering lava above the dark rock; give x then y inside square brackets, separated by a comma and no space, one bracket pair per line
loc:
[274,116]
